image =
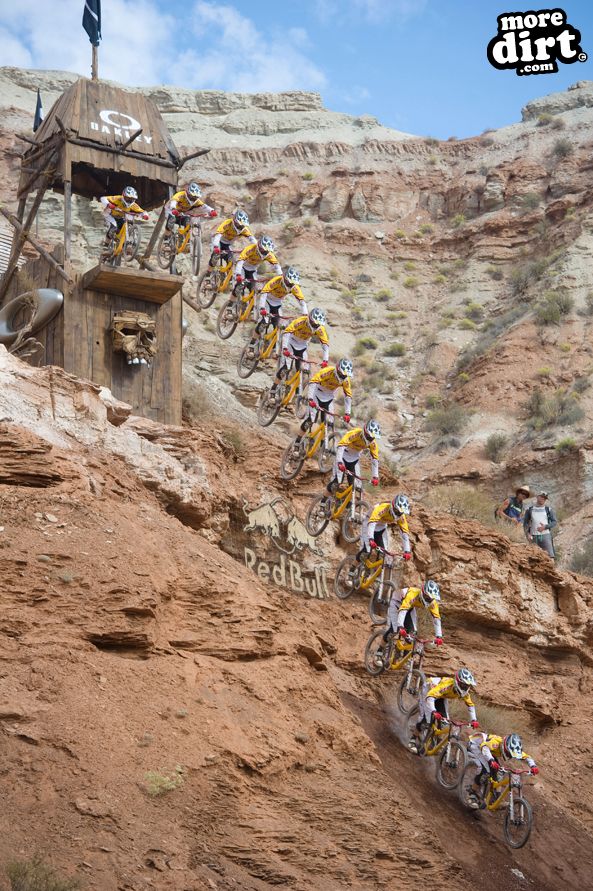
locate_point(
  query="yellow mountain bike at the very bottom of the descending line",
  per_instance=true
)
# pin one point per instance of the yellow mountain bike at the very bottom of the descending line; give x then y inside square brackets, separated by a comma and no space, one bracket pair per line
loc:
[495,794]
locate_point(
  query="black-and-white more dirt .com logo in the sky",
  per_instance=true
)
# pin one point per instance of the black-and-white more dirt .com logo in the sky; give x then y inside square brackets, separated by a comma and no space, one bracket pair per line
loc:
[534,42]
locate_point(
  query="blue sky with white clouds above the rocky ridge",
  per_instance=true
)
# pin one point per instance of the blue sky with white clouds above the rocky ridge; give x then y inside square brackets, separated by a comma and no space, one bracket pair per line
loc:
[417,65]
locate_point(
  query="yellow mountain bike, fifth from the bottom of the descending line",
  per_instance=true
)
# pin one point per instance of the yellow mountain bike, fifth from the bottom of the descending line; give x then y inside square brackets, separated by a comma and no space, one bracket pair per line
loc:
[346,503]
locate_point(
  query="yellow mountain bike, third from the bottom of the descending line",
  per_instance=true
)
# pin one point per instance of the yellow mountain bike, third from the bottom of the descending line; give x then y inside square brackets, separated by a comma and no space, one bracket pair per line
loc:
[381,656]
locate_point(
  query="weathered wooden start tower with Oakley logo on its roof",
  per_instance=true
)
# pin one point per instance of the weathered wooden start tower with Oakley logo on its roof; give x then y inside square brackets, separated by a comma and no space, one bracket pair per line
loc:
[96,139]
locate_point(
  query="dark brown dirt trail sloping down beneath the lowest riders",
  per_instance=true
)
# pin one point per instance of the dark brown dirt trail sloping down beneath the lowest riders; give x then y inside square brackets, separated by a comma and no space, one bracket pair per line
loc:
[476,840]
